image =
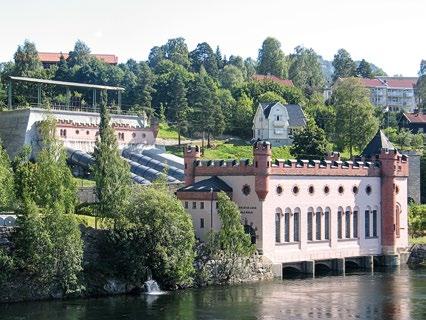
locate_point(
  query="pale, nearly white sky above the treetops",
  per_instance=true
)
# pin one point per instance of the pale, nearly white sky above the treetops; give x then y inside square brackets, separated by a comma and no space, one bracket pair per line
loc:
[388,33]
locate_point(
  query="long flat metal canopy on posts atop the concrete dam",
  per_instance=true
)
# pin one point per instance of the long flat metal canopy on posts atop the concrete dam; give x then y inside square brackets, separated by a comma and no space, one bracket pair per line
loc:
[64,84]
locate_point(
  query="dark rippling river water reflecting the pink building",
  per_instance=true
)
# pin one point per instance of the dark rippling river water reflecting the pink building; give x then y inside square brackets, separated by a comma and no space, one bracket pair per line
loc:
[397,294]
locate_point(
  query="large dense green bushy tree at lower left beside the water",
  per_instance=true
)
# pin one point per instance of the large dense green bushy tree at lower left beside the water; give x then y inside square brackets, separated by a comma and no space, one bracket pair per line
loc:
[49,249]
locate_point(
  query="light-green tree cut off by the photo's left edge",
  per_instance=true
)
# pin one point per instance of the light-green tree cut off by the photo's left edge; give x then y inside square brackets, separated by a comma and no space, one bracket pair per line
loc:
[6,180]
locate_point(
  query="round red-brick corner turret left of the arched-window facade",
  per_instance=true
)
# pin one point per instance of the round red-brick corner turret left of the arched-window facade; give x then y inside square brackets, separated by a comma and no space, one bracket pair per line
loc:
[262,167]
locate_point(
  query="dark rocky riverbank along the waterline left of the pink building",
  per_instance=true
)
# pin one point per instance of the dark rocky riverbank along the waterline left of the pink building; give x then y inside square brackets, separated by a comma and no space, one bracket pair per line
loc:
[98,280]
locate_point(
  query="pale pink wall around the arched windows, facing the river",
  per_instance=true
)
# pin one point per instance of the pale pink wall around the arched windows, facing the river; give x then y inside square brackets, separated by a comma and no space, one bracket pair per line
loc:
[323,249]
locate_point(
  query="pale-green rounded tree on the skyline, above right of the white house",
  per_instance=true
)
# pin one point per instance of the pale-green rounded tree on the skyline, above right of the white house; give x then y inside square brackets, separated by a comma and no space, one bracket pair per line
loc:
[305,71]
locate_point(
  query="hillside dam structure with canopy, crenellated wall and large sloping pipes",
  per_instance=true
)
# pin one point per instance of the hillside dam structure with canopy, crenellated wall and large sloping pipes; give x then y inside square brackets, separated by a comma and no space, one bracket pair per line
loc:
[77,127]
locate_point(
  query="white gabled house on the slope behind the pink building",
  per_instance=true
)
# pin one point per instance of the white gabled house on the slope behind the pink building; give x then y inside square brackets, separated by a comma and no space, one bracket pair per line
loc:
[276,122]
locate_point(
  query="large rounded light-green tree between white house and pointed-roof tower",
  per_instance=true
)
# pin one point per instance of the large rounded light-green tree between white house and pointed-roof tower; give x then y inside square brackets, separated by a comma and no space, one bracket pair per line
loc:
[355,118]
